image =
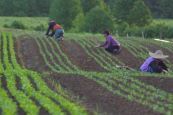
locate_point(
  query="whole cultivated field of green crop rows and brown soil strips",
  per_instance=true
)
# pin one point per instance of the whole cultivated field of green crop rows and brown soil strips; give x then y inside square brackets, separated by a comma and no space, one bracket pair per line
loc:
[32,66]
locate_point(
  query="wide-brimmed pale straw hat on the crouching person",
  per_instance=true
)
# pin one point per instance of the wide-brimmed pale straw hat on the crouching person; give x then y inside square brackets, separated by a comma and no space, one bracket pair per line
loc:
[158,55]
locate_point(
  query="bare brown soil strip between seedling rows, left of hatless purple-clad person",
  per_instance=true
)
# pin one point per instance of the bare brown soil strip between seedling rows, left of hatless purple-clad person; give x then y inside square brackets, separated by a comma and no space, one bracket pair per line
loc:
[78,56]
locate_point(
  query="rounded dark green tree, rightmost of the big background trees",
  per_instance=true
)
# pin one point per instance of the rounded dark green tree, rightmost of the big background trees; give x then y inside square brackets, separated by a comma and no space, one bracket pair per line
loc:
[140,14]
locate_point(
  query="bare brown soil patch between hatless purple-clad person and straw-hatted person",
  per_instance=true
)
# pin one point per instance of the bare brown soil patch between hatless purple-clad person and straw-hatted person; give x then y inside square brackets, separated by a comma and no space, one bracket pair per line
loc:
[129,59]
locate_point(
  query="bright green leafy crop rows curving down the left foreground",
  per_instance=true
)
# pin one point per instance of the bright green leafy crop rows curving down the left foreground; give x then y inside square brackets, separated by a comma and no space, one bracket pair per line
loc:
[28,95]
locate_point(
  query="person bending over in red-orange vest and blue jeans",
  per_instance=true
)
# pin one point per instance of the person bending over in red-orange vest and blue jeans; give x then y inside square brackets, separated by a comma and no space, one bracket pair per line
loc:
[56,30]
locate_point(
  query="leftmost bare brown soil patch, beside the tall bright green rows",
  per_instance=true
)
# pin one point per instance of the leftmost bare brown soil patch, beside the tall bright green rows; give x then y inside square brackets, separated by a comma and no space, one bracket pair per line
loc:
[28,54]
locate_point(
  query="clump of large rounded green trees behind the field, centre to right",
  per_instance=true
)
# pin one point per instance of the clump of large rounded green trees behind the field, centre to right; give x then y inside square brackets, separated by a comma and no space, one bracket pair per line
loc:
[97,15]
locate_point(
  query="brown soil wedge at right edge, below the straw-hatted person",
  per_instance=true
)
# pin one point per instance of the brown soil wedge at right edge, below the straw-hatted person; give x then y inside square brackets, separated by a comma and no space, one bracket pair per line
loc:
[159,82]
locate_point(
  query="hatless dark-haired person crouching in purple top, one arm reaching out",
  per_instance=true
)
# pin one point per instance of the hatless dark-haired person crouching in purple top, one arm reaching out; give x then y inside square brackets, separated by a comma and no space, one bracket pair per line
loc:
[111,44]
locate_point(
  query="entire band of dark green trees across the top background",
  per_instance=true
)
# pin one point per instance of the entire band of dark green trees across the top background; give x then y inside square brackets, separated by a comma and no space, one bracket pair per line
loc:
[122,16]
